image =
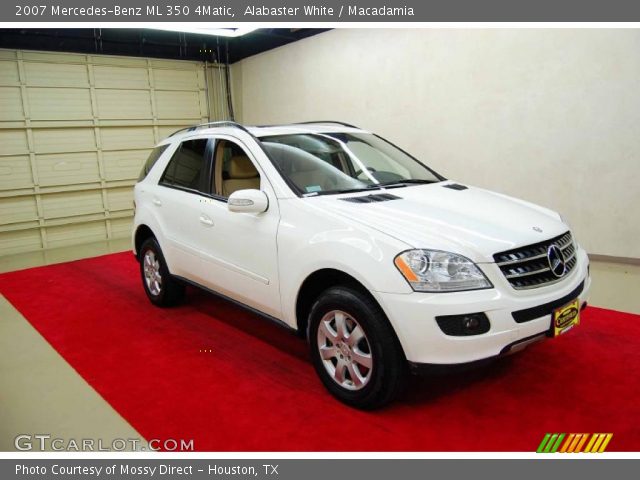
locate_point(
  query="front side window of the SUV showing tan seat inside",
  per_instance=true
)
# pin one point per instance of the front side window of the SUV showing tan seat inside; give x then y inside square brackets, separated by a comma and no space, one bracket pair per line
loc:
[233,169]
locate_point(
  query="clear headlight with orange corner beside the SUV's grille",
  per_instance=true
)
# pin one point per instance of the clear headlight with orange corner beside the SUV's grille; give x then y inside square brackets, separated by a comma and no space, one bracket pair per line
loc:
[436,271]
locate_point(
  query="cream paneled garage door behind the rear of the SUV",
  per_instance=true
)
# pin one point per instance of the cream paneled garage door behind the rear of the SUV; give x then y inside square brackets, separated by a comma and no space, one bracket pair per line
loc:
[74,132]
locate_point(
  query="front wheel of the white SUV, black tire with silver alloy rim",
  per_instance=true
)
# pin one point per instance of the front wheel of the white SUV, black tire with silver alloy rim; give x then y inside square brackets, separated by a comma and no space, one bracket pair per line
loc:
[342,361]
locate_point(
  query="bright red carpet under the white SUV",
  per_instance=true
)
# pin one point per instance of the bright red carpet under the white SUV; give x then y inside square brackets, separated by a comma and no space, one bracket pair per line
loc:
[257,391]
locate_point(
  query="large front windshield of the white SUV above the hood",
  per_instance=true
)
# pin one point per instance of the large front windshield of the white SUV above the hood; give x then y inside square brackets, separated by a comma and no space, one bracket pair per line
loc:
[322,163]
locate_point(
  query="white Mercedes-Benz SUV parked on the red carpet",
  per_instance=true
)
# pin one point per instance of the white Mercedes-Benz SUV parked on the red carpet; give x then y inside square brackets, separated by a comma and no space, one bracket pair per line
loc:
[381,263]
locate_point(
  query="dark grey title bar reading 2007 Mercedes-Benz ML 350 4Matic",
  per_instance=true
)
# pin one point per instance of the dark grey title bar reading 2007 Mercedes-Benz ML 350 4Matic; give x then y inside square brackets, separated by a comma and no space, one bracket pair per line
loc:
[232,11]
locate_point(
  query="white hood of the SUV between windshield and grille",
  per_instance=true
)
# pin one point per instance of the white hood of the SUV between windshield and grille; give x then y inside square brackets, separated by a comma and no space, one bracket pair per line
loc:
[472,222]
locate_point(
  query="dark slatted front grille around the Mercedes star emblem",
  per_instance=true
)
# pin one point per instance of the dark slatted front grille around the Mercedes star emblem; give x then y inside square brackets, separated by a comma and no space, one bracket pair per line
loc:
[528,267]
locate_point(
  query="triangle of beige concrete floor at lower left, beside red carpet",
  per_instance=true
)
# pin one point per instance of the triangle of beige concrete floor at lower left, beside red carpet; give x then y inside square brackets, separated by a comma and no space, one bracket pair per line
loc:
[41,393]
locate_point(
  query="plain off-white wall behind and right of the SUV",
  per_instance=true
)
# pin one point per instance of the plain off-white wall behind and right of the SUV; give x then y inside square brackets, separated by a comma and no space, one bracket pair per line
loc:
[548,115]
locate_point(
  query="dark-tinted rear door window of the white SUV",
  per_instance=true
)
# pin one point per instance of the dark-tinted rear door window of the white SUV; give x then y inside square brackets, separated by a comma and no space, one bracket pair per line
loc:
[187,167]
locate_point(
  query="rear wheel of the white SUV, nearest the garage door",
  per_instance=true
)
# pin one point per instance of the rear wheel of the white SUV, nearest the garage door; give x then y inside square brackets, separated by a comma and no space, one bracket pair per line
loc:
[161,287]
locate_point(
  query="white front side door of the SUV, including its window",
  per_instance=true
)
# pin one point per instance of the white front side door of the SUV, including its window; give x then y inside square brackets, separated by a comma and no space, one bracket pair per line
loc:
[239,250]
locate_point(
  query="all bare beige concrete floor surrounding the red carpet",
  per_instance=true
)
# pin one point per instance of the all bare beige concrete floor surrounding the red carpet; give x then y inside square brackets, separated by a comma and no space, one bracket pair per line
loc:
[40,393]
